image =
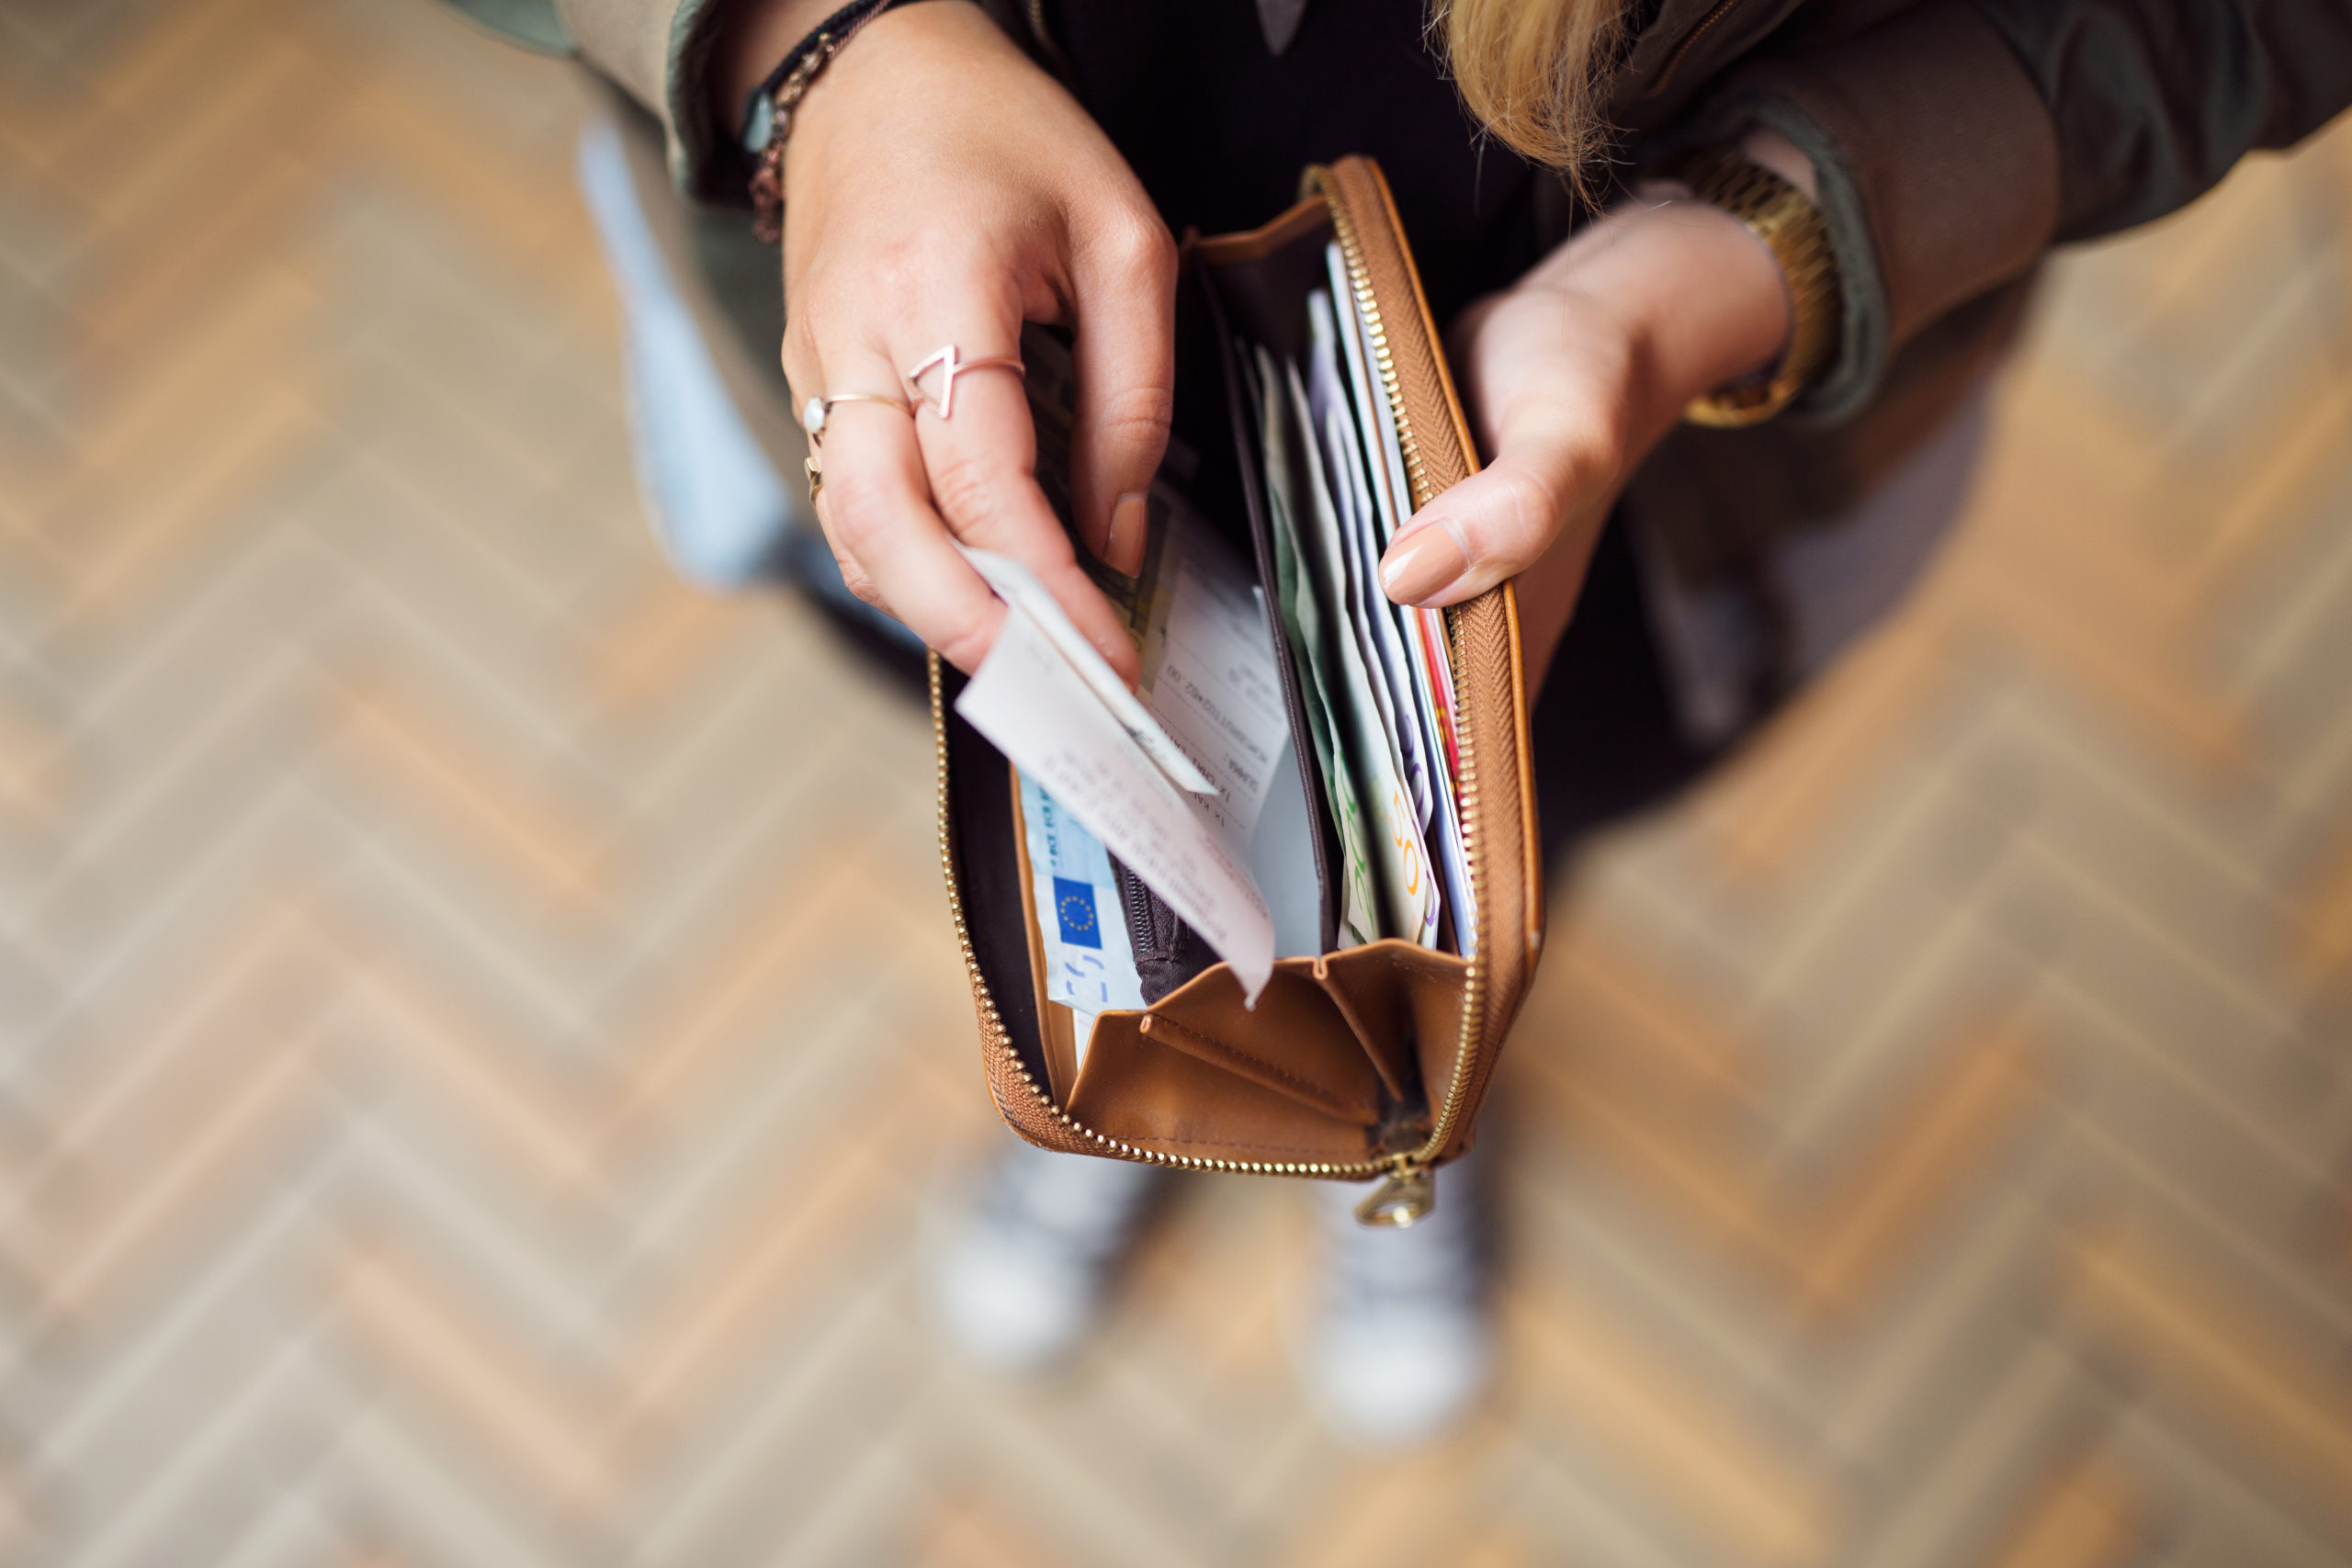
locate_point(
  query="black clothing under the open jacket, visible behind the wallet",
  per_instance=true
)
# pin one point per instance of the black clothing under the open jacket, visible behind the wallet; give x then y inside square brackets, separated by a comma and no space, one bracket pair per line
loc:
[1220,130]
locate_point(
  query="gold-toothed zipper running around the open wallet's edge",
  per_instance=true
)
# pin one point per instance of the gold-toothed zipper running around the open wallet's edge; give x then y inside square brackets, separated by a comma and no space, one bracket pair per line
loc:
[1408,1193]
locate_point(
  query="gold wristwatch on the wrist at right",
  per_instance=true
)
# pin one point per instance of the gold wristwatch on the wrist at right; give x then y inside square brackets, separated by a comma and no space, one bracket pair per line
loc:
[1784,220]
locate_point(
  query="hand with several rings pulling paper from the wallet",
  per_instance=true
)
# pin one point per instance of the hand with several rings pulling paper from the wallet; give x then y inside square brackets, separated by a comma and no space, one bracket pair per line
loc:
[942,189]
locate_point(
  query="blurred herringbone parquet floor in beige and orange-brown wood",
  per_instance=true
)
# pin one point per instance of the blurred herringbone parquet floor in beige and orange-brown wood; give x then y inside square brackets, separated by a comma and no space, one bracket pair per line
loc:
[479,1028]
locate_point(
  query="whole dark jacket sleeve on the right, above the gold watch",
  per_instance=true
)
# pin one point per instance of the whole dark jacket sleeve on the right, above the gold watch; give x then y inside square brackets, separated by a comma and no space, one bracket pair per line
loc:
[1958,140]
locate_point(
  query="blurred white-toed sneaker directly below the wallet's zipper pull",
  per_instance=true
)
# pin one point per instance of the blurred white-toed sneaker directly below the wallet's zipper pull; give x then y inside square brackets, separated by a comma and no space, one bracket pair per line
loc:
[1403,1343]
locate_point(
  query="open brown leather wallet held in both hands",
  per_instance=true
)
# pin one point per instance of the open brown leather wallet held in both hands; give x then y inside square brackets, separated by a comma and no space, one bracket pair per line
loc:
[1358,1064]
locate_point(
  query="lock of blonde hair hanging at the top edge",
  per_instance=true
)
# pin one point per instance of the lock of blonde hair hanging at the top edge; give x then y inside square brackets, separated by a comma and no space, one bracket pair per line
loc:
[1537,74]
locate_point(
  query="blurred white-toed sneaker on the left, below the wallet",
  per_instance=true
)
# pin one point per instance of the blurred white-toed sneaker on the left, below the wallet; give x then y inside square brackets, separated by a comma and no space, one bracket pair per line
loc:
[1022,1275]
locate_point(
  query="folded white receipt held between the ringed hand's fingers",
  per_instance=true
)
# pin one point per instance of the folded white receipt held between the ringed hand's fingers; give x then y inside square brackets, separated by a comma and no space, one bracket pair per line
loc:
[1191,850]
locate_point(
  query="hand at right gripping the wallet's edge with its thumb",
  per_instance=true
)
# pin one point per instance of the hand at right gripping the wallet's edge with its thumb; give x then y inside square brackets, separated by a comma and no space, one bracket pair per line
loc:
[1572,375]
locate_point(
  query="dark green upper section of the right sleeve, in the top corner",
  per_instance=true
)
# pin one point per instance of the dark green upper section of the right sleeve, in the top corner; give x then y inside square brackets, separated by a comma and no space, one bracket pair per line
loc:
[2158,100]
